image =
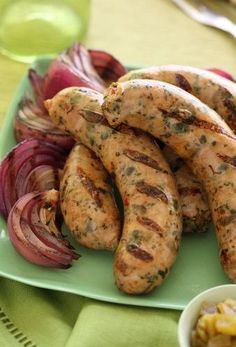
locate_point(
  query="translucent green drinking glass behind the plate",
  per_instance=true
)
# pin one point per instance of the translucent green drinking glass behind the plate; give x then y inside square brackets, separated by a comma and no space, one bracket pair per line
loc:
[30,29]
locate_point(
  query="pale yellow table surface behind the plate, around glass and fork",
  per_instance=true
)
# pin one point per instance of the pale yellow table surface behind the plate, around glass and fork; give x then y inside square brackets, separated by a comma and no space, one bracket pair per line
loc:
[143,33]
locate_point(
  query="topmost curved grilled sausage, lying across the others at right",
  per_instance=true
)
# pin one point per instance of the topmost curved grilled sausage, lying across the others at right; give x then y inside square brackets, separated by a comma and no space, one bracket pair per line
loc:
[198,134]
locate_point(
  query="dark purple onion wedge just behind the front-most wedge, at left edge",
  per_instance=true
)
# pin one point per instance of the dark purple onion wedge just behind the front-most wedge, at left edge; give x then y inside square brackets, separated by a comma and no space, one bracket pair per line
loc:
[30,166]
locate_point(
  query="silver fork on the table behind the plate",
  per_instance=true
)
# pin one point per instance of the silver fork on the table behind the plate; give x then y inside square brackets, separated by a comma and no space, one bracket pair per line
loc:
[202,14]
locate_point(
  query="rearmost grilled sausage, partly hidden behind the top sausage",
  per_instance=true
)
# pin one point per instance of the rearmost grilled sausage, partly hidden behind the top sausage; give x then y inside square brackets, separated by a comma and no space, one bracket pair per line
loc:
[215,91]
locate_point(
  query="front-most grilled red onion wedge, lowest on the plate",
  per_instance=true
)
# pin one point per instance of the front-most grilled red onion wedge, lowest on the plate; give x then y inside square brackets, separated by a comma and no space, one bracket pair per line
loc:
[34,230]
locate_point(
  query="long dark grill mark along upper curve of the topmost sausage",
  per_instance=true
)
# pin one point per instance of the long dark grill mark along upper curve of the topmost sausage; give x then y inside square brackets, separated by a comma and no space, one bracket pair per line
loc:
[186,117]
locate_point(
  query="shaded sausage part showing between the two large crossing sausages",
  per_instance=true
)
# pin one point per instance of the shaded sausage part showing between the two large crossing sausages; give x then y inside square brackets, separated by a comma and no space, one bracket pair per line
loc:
[193,199]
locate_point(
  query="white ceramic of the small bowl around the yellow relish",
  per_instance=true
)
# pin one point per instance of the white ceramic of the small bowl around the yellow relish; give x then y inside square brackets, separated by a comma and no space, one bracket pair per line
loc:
[190,314]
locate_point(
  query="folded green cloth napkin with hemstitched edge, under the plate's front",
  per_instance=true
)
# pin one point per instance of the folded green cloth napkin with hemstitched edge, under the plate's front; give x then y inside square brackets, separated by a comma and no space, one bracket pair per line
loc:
[38,317]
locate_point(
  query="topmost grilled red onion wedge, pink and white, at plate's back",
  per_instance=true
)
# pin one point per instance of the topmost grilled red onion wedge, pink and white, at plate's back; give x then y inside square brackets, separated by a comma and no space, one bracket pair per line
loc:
[76,66]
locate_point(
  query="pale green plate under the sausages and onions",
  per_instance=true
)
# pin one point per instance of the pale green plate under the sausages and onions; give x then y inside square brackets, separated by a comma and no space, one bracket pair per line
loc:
[196,269]
